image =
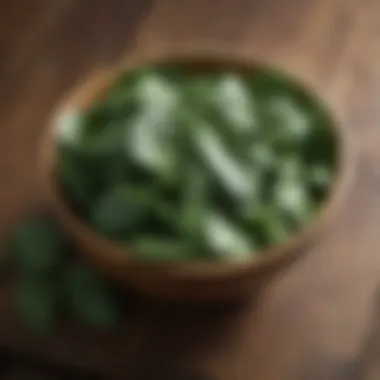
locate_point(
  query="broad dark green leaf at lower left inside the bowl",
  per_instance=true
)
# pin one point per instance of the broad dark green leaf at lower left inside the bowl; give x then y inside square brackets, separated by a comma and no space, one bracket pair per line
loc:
[121,210]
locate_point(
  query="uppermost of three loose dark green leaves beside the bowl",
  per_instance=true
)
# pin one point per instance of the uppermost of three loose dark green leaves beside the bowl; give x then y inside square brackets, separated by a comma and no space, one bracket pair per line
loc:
[37,246]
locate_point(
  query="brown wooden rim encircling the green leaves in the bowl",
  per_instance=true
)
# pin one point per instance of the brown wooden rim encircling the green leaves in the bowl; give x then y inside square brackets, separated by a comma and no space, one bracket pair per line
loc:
[96,82]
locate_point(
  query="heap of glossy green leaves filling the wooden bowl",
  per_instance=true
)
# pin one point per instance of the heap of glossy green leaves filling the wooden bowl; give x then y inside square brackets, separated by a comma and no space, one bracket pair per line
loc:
[178,165]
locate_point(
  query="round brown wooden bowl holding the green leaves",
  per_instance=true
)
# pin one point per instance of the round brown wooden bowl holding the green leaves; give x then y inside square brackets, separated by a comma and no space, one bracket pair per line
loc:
[185,280]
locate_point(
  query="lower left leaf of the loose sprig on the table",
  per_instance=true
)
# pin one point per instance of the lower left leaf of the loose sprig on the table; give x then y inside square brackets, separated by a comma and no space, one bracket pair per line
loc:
[36,303]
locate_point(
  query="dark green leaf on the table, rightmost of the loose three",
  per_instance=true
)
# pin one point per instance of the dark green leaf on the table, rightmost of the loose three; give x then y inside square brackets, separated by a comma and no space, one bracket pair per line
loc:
[89,300]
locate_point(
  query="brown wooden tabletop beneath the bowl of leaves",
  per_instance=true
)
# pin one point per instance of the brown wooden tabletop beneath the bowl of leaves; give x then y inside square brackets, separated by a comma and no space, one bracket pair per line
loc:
[320,319]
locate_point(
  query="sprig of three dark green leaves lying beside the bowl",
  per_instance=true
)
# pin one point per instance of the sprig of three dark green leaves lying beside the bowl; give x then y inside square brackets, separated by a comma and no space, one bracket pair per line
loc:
[52,283]
